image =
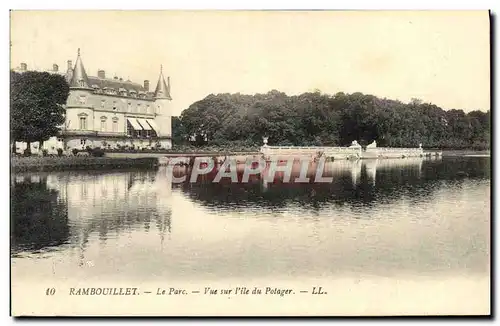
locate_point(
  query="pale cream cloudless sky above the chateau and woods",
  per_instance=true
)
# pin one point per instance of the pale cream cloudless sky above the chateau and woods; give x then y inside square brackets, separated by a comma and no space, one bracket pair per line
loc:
[441,57]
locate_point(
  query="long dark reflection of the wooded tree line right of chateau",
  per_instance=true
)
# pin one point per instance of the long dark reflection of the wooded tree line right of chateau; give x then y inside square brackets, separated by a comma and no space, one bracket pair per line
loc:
[387,182]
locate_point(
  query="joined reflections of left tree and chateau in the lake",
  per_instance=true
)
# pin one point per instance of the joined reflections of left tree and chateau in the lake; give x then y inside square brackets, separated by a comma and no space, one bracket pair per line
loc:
[68,208]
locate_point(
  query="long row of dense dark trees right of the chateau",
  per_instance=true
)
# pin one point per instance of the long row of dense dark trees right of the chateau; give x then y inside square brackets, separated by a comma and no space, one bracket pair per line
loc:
[322,119]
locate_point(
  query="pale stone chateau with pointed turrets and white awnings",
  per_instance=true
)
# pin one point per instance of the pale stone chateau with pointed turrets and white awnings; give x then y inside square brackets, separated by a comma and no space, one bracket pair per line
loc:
[111,112]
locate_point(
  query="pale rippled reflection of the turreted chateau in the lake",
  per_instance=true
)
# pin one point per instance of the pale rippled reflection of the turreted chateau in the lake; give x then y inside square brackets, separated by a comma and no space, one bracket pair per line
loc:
[99,204]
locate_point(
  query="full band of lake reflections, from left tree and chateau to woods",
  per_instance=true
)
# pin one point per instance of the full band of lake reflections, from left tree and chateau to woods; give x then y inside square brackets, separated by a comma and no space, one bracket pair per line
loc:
[72,208]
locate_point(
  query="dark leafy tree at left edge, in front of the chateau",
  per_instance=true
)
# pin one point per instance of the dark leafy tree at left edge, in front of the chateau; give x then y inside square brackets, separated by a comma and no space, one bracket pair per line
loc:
[37,106]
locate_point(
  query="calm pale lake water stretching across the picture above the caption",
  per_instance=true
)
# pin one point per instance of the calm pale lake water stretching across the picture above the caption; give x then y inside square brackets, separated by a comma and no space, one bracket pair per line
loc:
[377,218]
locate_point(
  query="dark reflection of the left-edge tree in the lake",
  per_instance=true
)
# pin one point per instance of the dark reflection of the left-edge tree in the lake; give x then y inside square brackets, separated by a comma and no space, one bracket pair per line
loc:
[38,218]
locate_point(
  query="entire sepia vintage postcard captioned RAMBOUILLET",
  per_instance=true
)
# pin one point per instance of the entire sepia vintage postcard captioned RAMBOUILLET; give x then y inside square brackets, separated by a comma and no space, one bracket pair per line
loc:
[250,163]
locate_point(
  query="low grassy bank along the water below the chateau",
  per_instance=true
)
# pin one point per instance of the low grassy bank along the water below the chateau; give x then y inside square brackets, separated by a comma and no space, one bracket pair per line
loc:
[25,164]
